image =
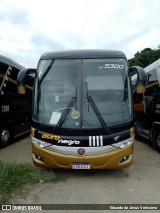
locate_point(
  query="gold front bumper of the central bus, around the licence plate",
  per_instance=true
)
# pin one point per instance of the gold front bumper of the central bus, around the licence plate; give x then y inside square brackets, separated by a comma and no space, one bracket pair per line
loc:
[120,158]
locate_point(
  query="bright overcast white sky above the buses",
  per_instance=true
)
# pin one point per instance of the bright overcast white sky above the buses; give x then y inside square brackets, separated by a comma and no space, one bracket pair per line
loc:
[29,28]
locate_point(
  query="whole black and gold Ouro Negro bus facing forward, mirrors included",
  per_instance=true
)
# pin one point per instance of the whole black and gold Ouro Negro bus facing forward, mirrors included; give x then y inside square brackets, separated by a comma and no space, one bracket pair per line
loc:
[82,110]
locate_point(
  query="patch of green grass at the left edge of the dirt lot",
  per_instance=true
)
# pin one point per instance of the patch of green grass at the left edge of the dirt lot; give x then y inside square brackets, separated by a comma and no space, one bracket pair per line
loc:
[14,176]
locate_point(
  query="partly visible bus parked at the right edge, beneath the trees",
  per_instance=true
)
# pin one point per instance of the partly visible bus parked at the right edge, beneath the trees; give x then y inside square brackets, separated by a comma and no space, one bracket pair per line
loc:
[147,112]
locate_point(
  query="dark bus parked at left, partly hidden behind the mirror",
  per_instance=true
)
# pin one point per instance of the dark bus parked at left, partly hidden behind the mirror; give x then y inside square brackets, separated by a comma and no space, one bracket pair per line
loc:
[15,109]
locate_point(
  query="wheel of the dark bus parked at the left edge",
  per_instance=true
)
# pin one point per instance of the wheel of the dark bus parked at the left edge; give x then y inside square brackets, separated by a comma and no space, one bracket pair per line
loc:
[6,136]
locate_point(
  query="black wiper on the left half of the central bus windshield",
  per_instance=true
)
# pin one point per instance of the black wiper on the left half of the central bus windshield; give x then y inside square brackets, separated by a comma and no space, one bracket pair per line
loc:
[65,113]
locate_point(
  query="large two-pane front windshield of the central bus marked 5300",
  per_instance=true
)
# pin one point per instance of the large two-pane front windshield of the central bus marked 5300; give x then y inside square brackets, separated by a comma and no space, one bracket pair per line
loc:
[64,89]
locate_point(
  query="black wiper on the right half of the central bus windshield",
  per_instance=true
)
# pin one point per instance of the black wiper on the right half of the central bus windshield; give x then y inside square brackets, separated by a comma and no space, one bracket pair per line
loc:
[99,116]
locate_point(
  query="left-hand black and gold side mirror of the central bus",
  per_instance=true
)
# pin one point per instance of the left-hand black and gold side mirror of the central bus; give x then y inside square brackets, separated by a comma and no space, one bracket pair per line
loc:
[21,79]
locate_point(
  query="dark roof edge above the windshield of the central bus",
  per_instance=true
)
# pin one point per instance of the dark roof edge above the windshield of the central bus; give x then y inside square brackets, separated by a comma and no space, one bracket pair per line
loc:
[92,53]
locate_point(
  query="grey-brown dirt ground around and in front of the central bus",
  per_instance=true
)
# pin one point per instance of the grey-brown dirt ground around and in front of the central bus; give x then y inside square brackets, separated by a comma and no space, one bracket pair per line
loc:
[138,184]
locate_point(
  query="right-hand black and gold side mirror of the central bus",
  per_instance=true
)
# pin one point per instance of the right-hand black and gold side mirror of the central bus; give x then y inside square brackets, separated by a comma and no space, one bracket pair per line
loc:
[141,79]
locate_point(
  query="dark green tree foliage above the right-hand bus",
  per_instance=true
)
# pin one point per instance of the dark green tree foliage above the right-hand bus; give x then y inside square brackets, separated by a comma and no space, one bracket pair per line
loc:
[144,58]
